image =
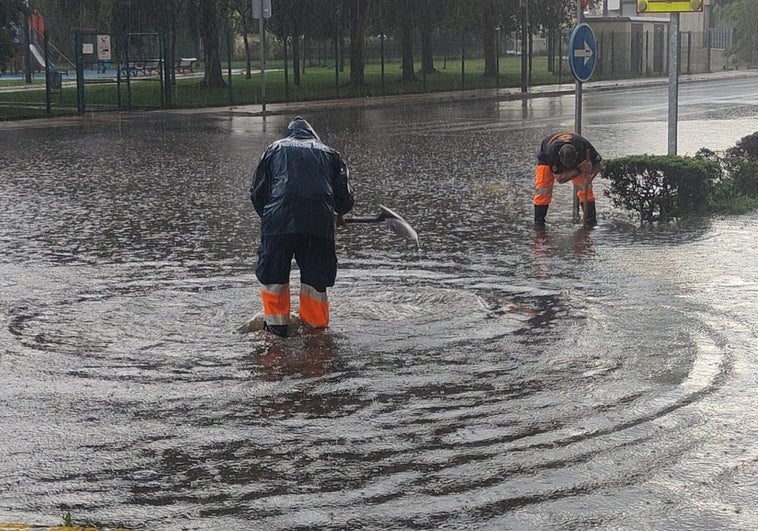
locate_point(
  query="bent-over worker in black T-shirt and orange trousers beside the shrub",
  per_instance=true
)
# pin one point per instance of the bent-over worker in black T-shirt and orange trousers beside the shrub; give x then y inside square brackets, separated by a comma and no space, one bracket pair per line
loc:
[566,157]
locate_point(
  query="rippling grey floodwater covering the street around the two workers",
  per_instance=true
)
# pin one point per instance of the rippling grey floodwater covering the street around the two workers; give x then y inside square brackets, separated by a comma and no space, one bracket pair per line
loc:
[492,379]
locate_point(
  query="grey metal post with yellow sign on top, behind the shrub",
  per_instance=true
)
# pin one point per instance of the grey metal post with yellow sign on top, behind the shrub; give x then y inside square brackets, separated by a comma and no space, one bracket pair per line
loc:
[674,8]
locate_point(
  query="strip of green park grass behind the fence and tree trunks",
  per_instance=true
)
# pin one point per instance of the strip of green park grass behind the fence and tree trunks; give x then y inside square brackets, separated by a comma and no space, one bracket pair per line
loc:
[317,83]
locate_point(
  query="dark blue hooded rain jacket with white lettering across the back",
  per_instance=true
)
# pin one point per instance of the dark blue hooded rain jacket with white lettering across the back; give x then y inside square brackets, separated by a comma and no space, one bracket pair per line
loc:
[300,185]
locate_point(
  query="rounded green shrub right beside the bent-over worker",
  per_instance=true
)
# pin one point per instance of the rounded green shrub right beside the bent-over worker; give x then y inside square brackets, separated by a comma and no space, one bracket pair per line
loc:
[662,187]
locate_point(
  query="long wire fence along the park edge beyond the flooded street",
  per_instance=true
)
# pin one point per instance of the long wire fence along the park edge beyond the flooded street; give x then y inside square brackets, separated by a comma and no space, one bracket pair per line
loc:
[138,73]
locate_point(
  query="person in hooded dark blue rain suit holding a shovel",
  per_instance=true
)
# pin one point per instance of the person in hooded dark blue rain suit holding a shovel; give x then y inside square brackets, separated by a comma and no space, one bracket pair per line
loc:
[300,191]
